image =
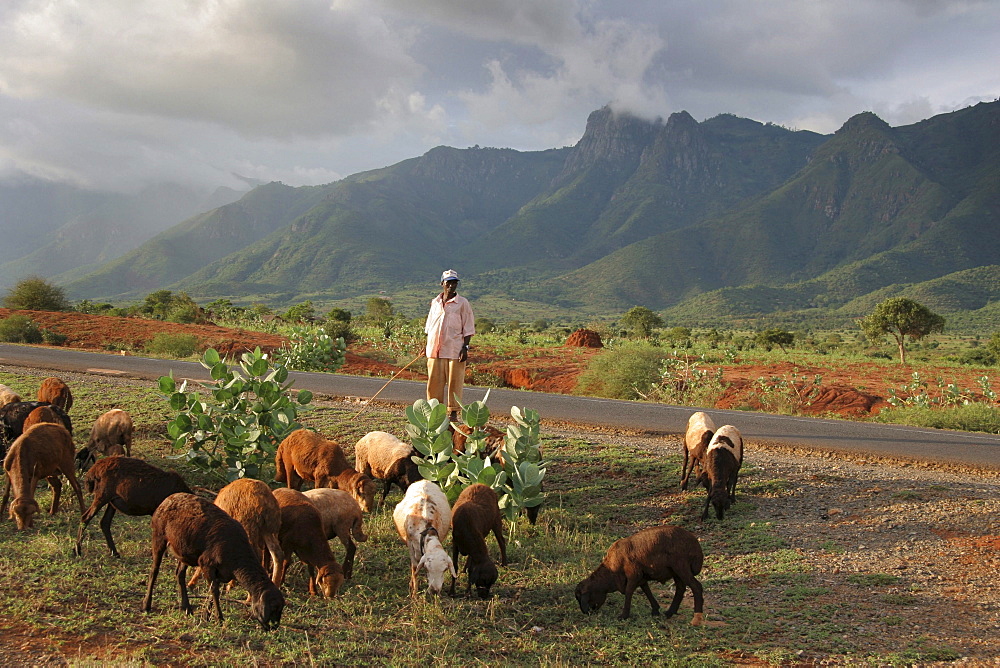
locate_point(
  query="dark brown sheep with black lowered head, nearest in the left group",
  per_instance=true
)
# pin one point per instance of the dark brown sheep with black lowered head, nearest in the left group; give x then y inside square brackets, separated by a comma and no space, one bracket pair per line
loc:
[199,533]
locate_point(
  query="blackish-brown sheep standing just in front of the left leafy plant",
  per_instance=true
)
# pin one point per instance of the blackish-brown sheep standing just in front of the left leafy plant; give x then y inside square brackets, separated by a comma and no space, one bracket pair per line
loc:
[129,485]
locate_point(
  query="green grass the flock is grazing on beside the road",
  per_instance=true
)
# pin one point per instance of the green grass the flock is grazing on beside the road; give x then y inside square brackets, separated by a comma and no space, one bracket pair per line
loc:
[767,601]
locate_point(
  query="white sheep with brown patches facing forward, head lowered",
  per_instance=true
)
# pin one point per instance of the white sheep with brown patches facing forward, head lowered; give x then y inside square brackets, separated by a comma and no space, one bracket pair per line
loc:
[423,520]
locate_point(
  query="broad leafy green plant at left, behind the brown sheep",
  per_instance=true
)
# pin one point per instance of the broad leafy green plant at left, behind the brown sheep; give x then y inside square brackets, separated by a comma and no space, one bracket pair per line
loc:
[234,431]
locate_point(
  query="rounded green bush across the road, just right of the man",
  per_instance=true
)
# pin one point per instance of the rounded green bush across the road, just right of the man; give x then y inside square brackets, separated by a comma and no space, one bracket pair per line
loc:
[622,373]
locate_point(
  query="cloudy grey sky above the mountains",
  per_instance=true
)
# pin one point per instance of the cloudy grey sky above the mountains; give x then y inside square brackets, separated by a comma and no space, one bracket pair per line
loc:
[119,94]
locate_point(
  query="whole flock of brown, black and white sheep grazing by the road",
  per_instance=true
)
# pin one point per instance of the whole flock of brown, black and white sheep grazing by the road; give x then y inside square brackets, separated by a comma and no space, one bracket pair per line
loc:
[249,533]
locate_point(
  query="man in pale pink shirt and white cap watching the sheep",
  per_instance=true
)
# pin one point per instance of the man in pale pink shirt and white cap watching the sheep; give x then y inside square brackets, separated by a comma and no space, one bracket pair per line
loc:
[450,326]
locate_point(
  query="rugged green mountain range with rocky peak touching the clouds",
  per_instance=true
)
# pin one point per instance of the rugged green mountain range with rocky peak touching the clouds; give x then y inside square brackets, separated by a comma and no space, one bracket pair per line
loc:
[720,218]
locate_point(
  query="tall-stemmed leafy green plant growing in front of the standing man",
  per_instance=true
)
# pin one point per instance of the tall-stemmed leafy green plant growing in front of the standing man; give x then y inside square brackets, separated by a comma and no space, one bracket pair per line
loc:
[517,481]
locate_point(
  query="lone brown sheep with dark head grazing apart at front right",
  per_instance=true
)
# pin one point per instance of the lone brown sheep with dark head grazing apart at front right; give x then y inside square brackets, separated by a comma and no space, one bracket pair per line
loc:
[657,554]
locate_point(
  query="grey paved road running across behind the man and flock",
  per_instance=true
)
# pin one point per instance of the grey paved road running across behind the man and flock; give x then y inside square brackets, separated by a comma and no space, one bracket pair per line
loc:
[950,447]
